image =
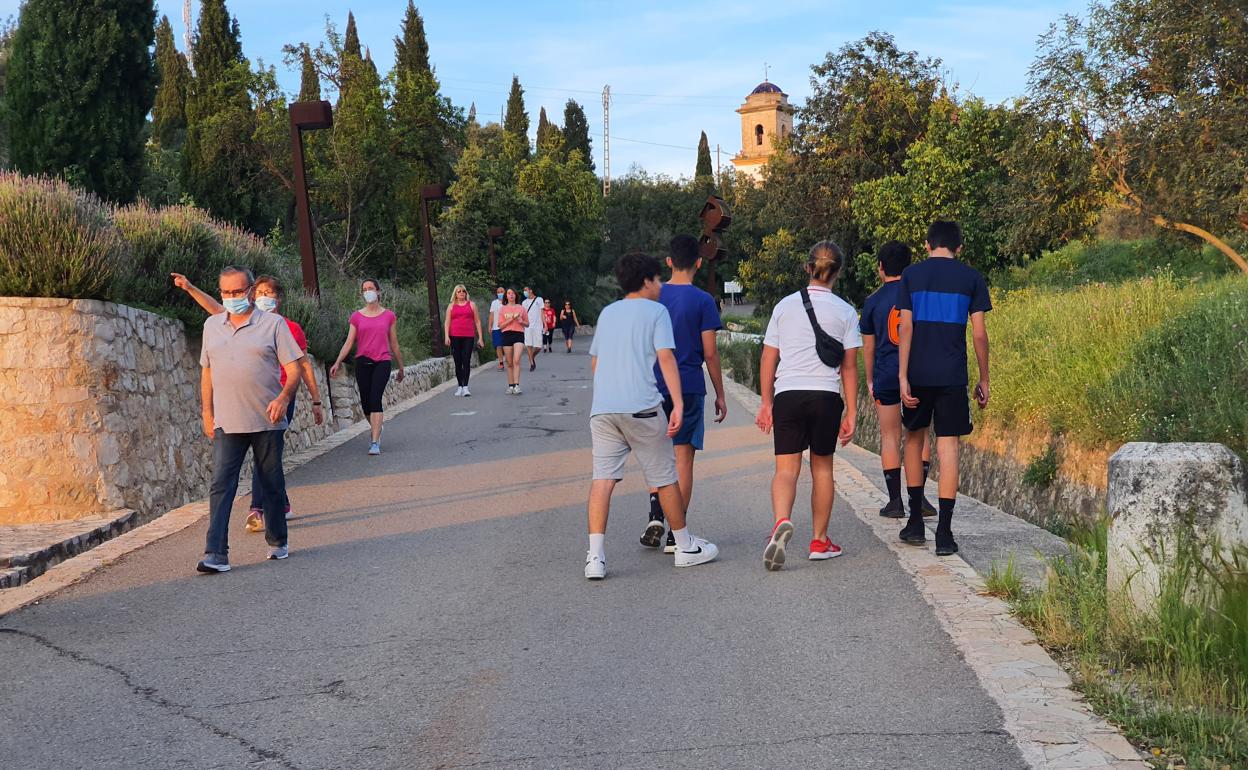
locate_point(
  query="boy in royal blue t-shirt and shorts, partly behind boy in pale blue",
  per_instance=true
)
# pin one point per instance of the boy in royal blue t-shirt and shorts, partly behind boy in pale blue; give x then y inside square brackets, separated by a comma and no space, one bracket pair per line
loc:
[695,323]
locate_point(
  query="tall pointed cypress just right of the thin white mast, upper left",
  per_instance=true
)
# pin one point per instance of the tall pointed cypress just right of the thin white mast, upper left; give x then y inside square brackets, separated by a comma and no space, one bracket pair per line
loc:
[219,164]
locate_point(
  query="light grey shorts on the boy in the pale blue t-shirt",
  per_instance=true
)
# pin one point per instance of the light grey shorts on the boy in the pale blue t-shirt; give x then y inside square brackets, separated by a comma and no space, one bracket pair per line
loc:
[615,436]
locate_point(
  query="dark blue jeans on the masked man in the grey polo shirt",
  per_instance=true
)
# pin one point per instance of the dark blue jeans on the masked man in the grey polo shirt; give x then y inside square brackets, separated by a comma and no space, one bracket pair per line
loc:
[229,451]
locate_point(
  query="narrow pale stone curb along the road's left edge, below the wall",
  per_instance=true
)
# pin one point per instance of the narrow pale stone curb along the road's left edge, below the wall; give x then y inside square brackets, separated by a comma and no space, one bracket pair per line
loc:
[80,567]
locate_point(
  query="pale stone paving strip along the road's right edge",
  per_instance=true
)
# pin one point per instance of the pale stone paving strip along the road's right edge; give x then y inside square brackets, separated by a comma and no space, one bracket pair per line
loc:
[1050,723]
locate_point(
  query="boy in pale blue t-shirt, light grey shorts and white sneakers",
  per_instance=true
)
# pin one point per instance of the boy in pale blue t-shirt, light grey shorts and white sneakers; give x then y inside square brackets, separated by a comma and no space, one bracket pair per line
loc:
[631,338]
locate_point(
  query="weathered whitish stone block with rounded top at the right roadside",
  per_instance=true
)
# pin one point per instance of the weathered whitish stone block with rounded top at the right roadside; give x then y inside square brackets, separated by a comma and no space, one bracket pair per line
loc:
[1161,495]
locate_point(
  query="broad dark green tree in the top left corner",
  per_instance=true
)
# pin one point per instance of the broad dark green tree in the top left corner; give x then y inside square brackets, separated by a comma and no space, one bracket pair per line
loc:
[80,84]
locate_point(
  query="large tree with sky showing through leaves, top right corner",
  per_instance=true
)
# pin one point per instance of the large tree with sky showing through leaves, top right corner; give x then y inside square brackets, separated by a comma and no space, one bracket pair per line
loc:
[1159,93]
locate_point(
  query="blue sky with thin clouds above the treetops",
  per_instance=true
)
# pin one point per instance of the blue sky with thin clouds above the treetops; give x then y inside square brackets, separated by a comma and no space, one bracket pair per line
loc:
[675,68]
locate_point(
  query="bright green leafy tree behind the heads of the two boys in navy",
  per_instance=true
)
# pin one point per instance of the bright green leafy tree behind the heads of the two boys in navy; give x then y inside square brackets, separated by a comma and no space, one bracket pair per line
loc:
[957,172]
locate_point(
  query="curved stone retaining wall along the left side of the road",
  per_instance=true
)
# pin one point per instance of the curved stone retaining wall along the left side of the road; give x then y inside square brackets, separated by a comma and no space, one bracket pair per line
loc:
[100,411]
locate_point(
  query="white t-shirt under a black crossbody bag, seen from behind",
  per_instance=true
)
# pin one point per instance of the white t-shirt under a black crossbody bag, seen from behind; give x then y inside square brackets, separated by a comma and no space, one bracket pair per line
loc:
[789,331]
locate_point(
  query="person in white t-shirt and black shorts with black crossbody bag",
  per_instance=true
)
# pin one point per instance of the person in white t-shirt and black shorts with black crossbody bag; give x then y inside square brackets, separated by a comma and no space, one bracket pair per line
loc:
[808,405]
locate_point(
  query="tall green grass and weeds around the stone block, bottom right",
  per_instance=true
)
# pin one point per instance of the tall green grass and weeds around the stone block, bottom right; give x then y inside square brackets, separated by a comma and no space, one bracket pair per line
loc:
[1176,680]
